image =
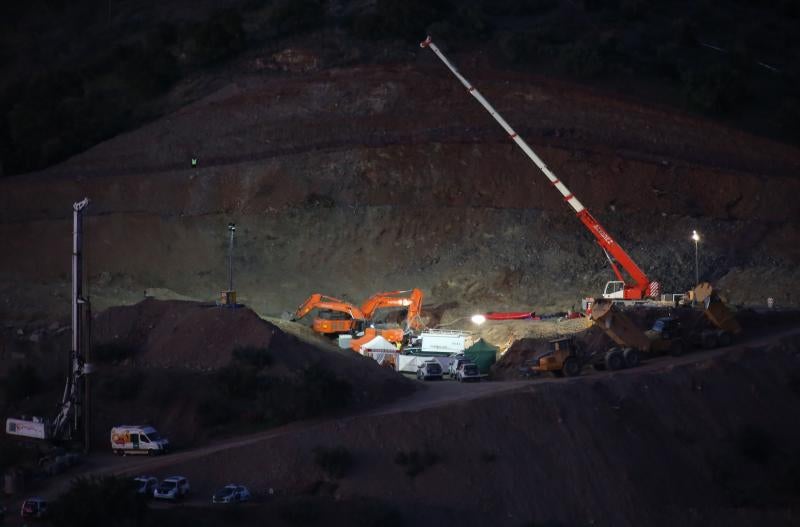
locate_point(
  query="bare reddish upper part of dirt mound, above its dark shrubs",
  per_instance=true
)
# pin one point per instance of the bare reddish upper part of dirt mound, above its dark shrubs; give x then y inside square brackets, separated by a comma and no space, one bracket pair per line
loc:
[204,336]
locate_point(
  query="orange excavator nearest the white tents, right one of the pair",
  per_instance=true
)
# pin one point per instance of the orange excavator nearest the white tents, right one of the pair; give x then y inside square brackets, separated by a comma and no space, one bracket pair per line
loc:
[410,299]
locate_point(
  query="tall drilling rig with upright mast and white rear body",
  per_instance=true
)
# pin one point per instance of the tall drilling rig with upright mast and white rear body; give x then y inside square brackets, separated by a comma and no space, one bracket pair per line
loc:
[74,412]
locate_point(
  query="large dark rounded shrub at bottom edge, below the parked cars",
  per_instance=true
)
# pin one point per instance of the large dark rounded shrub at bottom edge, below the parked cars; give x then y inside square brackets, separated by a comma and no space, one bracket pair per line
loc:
[99,501]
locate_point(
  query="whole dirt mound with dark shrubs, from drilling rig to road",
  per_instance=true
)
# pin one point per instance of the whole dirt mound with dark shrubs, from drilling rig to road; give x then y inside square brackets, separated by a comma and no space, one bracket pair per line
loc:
[197,370]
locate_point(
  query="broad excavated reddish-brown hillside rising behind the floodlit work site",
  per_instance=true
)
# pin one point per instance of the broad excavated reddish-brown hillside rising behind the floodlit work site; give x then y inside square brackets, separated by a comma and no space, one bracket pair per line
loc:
[353,180]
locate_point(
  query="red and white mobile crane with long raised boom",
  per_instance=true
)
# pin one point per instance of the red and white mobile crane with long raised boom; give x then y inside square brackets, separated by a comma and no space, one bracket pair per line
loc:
[638,286]
